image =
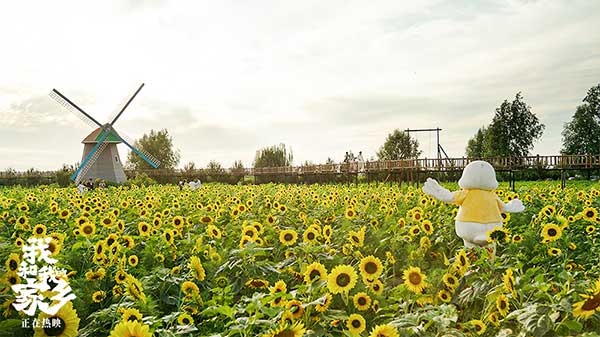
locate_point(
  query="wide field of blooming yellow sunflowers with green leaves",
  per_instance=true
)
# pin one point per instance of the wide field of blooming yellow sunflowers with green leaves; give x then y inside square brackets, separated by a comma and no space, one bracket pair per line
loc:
[289,260]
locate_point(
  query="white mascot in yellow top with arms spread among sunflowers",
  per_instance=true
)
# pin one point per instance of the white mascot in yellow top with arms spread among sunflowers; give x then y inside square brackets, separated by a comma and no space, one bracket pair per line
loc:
[480,208]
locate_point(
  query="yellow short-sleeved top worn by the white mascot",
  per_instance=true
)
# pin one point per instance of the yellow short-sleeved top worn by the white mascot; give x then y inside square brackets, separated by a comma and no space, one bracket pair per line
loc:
[478,206]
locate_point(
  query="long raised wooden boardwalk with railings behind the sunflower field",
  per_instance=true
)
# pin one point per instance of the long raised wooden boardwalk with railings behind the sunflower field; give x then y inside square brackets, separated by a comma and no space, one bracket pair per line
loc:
[408,170]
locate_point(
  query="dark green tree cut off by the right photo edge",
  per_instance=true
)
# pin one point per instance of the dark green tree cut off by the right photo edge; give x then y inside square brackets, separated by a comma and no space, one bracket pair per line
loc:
[582,134]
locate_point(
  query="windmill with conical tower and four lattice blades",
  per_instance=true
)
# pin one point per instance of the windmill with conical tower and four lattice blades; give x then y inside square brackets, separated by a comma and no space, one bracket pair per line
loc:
[100,156]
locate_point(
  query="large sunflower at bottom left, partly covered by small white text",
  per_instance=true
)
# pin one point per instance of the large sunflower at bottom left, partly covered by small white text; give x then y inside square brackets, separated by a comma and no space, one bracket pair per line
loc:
[68,325]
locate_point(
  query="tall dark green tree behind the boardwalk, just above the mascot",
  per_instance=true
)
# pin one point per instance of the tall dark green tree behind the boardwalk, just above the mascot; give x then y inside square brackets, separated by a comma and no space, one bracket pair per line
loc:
[514,129]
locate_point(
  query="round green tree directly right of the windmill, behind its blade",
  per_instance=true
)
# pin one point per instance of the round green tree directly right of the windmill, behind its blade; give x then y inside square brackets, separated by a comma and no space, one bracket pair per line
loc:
[160,145]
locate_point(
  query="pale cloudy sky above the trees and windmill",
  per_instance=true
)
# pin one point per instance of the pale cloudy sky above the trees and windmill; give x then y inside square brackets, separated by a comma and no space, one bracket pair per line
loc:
[226,78]
